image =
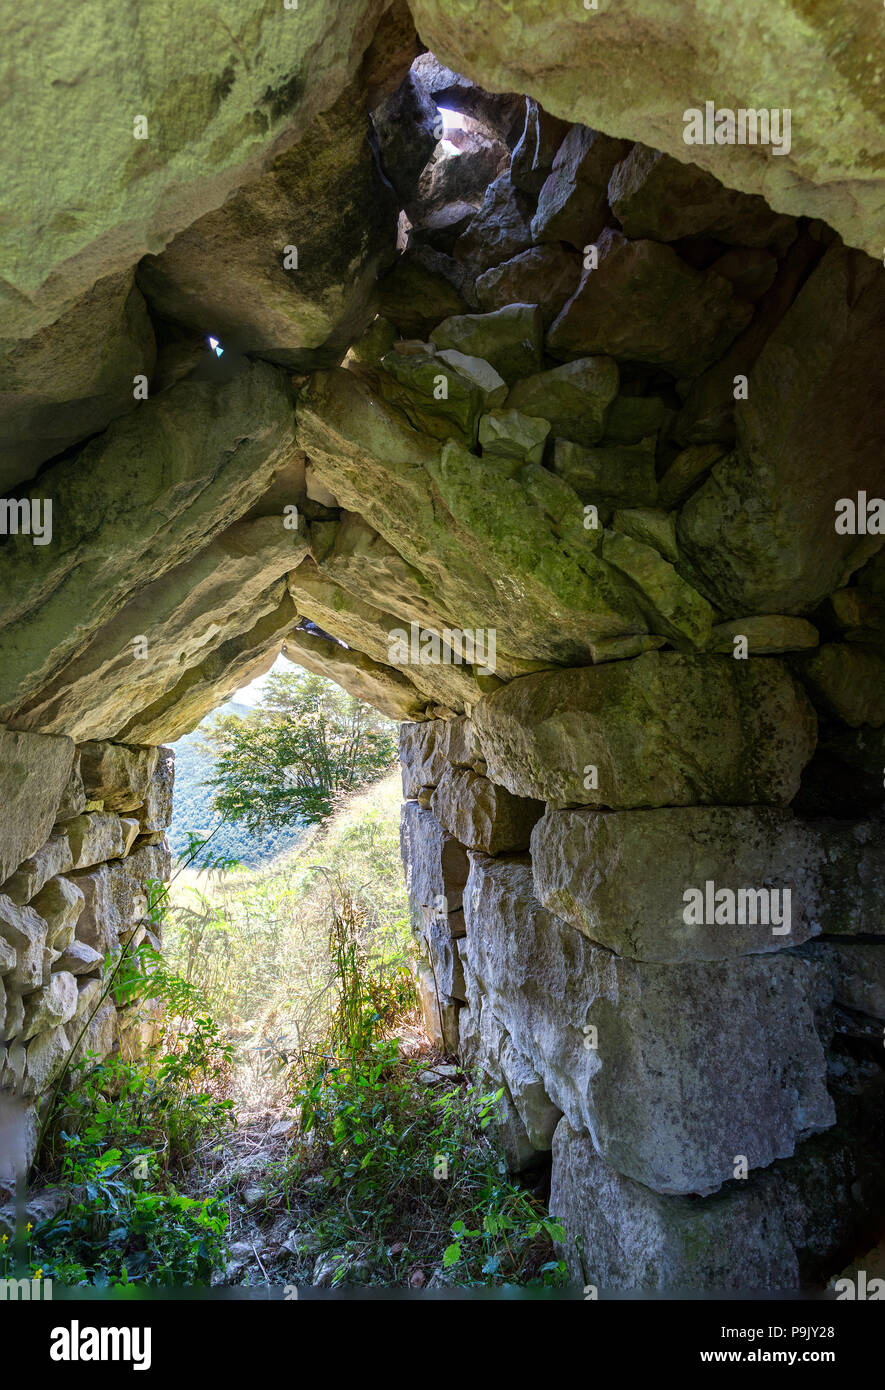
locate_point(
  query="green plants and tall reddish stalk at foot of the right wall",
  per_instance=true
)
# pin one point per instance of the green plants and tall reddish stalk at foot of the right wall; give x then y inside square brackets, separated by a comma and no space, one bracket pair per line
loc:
[399,1156]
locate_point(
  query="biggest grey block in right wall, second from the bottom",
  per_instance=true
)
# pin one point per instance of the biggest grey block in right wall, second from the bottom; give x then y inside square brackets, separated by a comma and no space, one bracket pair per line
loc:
[672,1093]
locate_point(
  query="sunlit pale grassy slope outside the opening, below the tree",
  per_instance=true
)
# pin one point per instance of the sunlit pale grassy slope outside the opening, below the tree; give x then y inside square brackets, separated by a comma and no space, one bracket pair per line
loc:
[256,943]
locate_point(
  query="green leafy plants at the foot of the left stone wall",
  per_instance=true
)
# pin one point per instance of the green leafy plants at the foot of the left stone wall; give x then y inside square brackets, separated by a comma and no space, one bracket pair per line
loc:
[127,1135]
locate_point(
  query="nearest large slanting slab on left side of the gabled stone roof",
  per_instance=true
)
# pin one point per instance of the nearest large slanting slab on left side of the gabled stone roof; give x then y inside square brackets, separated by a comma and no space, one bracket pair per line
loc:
[134,504]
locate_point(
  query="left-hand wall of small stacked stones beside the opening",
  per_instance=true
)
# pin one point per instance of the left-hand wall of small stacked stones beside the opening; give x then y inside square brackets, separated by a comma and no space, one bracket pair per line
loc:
[84,833]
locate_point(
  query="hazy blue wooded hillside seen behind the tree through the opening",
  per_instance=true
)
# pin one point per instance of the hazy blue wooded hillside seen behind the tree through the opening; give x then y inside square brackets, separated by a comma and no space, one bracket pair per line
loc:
[192,811]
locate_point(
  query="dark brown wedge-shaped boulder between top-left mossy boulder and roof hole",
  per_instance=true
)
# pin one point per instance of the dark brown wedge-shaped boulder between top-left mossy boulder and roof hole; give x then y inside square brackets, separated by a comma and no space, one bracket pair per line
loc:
[233,272]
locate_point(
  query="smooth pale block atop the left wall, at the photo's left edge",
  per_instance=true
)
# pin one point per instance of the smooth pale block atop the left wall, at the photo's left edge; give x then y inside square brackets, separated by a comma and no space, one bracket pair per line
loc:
[35,771]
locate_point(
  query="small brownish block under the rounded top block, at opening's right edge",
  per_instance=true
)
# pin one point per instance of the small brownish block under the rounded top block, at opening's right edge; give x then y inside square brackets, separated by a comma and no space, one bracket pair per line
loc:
[481,815]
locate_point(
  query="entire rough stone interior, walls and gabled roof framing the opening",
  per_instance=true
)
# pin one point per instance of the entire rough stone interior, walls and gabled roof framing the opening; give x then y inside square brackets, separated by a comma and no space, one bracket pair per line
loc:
[563,451]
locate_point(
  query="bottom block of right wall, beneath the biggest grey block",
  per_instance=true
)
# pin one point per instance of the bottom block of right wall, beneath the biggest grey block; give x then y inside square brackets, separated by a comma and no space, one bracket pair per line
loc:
[776,1231]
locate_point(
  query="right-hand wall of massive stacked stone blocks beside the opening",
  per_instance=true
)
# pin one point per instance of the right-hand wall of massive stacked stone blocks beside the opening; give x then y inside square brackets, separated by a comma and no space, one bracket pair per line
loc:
[712,1095]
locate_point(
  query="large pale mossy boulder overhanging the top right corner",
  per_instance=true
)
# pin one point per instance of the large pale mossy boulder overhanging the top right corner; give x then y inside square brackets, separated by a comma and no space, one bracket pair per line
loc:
[637,70]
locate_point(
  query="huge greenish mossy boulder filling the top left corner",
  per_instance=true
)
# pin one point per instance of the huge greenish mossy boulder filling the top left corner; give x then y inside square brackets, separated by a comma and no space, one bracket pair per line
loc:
[202,105]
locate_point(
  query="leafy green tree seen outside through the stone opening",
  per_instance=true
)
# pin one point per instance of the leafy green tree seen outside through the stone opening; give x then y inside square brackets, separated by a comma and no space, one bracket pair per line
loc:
[287,760]
